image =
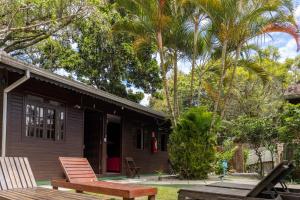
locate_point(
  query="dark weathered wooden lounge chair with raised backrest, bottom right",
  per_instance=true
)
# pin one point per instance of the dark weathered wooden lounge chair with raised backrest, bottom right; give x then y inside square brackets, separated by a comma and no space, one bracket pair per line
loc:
[265,189]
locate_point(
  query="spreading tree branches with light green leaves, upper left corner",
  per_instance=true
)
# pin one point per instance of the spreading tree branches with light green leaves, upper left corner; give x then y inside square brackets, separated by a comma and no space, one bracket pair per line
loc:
[24,23]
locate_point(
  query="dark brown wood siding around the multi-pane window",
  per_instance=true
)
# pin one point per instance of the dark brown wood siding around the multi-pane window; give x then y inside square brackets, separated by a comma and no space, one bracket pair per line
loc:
[42,154]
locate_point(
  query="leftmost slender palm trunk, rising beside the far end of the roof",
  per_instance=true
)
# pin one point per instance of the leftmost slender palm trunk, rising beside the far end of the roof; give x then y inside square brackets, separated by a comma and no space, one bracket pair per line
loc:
[164,77]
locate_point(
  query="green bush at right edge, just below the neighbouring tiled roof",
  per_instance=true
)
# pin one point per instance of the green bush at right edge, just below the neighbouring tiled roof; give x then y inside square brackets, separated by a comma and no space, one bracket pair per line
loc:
[290,124]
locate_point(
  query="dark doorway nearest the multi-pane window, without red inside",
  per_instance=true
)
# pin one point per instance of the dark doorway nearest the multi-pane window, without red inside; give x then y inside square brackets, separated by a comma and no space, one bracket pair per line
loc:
[92,138]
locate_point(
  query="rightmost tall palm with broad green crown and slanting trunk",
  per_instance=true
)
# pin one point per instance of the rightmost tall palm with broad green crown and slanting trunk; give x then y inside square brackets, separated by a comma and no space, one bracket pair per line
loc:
[235,22]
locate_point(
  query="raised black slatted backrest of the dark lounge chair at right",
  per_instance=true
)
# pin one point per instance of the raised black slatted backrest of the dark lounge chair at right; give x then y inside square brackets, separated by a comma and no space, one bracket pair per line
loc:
[277,175]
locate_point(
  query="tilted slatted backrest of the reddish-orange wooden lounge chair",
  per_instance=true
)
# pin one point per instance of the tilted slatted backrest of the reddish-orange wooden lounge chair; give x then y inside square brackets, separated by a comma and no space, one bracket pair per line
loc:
[77,169]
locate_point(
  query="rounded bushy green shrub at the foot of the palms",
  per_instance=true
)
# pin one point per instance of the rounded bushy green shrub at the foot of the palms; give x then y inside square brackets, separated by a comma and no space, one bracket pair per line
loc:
[192,144]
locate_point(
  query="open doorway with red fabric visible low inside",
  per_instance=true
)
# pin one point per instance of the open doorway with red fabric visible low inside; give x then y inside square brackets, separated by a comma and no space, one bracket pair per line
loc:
[113,146]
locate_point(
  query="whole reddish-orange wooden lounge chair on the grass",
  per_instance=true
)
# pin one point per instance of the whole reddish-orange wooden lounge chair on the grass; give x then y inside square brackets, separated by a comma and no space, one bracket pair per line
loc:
[81,177]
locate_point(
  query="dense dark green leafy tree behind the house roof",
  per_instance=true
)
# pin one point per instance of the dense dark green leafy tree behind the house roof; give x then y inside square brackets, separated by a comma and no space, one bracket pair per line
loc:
[96,55]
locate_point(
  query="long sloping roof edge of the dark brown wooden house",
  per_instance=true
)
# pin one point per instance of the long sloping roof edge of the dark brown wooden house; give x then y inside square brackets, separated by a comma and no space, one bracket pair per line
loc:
[75,85]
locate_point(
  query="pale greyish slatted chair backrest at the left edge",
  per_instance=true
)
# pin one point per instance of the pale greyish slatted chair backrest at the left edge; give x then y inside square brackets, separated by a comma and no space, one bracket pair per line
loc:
[15,172]
